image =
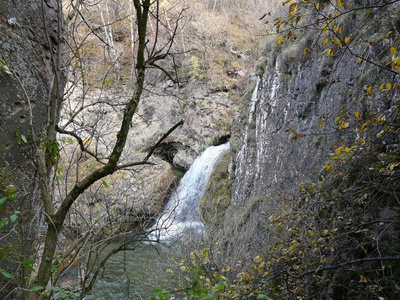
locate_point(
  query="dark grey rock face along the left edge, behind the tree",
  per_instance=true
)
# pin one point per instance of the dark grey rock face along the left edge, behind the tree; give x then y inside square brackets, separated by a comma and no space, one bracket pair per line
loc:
[24,98]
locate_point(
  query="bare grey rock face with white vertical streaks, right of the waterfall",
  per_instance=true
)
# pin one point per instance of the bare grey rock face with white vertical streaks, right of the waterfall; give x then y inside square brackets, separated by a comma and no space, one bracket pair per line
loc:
[278,141]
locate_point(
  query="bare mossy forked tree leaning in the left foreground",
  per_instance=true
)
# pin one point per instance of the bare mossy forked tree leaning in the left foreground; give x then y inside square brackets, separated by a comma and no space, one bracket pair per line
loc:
[147,55]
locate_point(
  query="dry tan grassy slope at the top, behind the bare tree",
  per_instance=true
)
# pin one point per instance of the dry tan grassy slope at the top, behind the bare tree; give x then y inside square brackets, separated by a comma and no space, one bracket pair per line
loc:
[220,39]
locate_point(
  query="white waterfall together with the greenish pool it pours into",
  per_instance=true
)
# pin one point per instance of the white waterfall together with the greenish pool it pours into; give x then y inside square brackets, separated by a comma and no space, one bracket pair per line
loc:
[135,275]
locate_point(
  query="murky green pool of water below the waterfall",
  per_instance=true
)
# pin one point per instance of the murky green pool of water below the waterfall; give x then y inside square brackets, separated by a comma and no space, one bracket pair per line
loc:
[135,274]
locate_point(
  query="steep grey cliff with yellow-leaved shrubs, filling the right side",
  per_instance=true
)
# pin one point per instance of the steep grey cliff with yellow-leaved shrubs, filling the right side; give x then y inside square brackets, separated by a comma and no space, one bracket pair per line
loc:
[331,231]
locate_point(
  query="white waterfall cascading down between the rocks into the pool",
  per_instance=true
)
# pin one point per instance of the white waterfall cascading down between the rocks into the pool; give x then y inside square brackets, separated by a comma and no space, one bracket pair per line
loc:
[181,212]
